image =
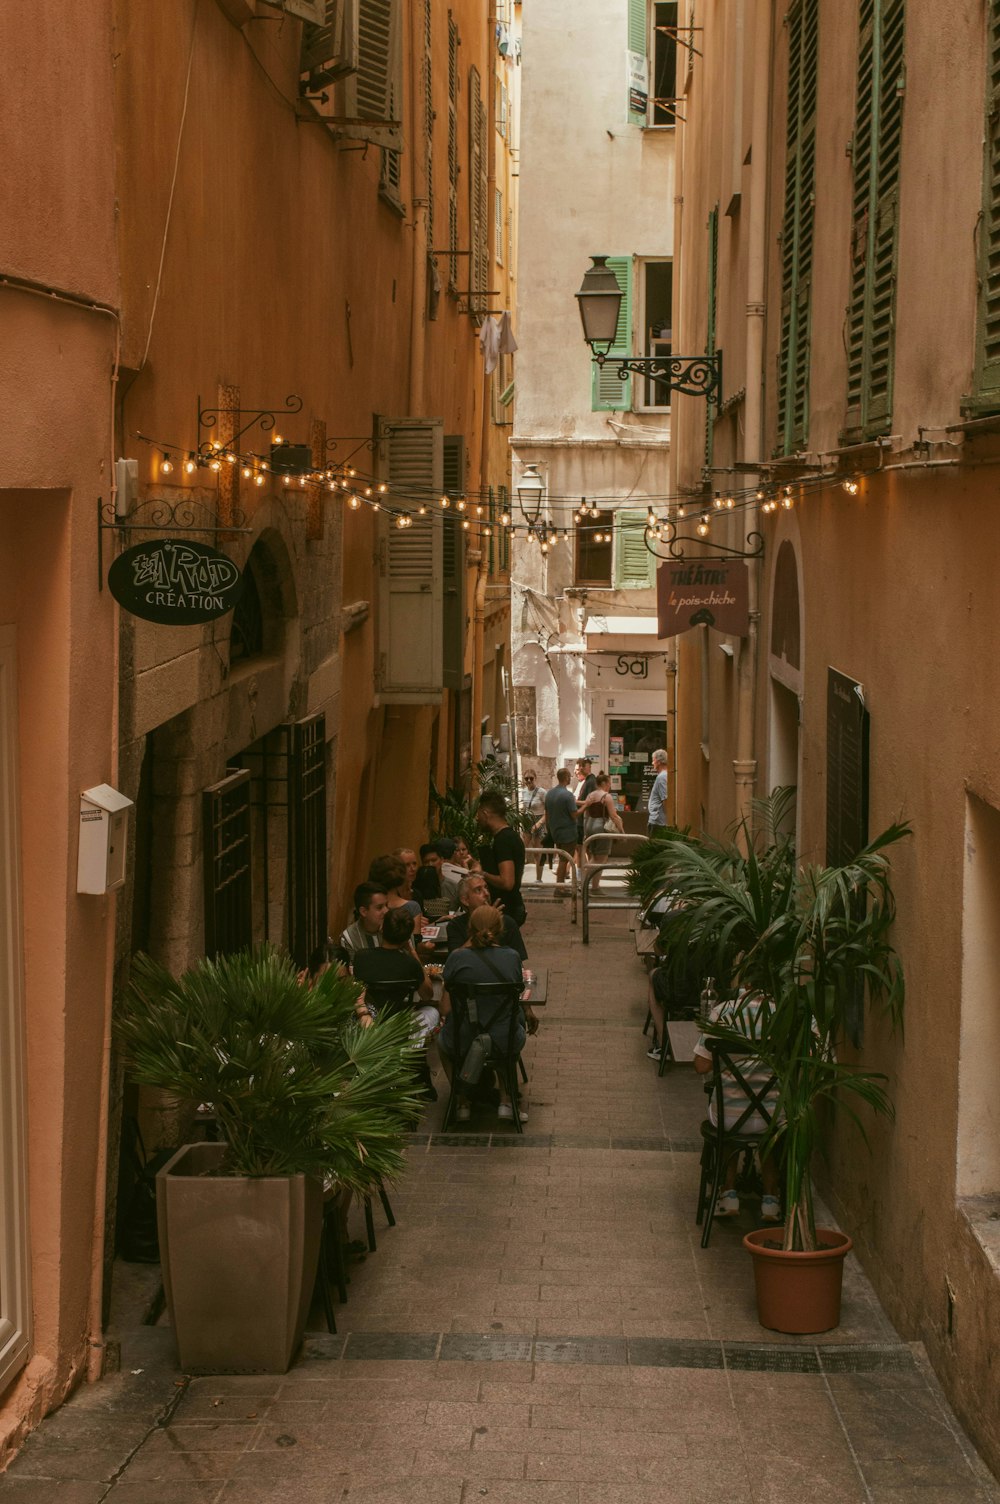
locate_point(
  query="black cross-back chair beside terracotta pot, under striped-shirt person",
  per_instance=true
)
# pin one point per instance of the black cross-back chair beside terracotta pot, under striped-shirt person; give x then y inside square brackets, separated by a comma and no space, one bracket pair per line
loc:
[732,1073]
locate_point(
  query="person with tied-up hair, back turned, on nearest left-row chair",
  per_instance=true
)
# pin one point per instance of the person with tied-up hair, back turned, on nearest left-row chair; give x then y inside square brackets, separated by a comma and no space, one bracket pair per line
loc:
[483,960]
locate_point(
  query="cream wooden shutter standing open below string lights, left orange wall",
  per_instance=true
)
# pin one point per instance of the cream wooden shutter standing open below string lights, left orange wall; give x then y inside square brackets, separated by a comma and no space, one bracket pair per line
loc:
[411,563]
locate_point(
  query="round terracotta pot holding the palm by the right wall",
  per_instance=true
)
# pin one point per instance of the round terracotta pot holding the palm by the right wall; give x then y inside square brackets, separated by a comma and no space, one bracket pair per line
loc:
[798,1293]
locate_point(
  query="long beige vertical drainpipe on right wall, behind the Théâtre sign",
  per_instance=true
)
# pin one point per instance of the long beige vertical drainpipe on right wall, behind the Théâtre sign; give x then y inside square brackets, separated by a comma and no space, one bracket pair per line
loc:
[745,762]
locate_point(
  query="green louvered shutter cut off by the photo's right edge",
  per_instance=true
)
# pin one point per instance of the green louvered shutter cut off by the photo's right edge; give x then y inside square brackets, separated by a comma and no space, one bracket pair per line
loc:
[986,396]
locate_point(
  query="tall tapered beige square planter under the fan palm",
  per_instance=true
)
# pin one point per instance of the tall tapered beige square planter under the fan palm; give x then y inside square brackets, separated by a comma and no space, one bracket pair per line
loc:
[238,1261]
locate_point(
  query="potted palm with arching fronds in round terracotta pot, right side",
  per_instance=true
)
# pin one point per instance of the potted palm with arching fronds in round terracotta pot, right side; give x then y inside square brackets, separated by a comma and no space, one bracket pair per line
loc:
[810,947]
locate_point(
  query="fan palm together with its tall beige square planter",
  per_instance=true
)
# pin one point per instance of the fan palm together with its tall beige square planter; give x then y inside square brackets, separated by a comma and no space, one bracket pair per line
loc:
[303,1097]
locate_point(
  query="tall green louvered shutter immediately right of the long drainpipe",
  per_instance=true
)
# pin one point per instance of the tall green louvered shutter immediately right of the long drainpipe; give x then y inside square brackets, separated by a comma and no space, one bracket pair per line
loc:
[801,160]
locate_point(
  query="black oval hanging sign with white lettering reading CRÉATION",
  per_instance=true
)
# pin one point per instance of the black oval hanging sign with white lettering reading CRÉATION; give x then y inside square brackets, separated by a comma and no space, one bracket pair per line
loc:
[175,583]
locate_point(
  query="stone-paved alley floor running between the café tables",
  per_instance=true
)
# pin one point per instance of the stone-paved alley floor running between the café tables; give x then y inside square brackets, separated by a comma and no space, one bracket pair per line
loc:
[542,1327]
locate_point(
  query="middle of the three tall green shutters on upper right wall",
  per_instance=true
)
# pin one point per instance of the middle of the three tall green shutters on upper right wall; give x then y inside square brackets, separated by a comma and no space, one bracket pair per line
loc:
[871,318]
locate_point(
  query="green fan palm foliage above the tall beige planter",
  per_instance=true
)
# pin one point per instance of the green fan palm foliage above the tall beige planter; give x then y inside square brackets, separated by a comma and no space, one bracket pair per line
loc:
[295,1084]
